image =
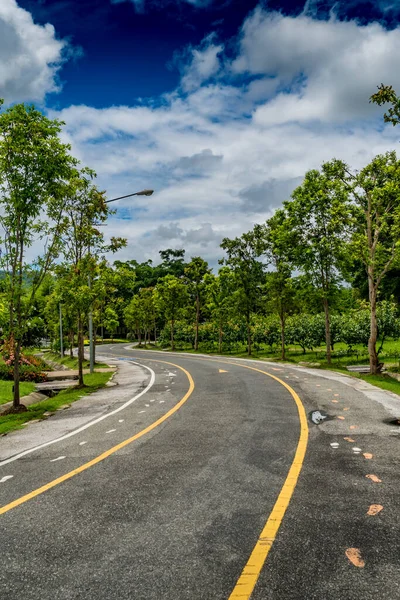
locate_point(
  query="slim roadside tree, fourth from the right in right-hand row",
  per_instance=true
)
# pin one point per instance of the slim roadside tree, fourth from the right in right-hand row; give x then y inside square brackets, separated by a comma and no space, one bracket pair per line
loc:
[242,254]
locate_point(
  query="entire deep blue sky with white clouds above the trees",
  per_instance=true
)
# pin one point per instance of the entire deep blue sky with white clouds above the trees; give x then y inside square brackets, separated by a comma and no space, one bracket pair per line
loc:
[219,105]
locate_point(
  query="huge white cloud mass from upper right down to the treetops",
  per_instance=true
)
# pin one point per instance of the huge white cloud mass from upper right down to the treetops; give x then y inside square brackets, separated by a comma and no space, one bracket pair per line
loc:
[223,153]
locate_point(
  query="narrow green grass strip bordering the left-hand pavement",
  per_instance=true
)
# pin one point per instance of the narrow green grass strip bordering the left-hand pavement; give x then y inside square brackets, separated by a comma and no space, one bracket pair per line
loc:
[36,411]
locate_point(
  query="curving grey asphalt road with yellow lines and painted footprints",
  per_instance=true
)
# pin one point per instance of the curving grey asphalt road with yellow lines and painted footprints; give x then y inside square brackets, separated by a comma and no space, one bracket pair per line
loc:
[168,498]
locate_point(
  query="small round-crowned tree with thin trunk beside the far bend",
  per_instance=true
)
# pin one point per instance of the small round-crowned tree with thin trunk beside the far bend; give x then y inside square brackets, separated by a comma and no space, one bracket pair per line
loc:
[171,297]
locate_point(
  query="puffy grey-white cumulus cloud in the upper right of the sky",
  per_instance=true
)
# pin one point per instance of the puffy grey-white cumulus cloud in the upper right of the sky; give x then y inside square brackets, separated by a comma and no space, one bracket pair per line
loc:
[327,70]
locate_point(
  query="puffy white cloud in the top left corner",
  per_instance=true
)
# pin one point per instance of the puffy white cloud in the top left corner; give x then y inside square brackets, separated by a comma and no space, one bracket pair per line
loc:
[30,55]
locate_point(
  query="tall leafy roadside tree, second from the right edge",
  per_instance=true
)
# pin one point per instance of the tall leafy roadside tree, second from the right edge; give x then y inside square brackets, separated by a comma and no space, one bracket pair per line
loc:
[318,217]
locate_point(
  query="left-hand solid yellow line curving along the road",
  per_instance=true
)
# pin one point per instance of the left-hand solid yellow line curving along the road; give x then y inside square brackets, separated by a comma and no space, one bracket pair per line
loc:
[106,454]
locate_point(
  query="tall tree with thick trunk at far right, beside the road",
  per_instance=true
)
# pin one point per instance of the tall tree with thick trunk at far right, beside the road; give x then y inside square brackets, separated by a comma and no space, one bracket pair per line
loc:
[375,194]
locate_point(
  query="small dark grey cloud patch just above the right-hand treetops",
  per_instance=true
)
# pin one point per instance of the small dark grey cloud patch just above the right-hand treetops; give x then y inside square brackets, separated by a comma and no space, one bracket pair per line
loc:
[268,195]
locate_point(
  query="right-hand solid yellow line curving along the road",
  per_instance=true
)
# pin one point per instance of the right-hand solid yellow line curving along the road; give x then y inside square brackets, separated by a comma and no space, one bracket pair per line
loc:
[251,572]
